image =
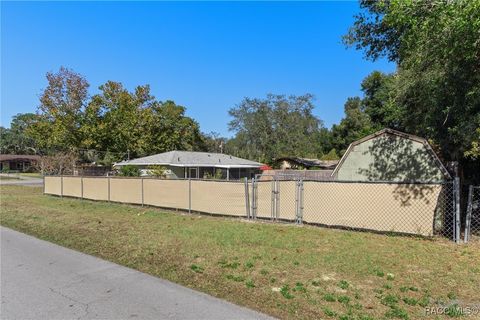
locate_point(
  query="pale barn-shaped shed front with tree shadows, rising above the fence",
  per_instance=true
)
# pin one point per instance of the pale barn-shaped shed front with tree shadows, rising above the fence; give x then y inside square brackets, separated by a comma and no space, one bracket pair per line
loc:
[390,155]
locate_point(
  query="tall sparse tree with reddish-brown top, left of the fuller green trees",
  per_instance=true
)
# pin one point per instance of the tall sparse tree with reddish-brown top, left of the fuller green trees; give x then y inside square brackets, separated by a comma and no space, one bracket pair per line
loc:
[60,112]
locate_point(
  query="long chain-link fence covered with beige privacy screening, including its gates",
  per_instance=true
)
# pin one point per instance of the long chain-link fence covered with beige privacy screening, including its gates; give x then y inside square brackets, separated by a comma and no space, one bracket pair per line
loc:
[424,209]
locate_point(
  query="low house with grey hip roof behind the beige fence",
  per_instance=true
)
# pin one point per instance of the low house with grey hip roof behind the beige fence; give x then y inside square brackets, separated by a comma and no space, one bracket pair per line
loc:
[197,165]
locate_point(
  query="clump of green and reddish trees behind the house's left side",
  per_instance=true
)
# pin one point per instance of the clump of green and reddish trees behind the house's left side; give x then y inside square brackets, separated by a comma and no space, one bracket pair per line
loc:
[115,119]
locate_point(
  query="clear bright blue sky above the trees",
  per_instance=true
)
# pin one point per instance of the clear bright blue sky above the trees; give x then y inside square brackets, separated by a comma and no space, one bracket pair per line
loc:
[205,56]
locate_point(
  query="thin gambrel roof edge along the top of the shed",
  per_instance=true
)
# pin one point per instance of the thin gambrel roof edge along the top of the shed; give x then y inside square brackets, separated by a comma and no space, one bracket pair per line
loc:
[387,131]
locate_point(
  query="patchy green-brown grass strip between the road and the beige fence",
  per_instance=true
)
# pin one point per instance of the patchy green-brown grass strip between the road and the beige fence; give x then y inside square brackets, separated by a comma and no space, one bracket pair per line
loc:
[283,270]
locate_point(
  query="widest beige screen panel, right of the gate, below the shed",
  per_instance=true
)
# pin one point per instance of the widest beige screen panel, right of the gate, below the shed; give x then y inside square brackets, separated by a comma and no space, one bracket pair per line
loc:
[380,207]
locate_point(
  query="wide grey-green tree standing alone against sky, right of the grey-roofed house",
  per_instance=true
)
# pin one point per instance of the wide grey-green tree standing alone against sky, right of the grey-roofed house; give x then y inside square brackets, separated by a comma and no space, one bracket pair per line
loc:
[275,126]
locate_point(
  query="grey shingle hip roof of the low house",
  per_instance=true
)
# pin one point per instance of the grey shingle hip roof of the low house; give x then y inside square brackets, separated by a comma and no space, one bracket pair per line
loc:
[193,159]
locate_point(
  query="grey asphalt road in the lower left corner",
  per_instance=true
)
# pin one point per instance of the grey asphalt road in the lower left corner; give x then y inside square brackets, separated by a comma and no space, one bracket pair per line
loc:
[40,280]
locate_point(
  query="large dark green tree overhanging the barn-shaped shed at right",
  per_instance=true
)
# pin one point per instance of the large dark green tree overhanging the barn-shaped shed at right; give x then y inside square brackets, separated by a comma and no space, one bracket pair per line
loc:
[437,85]
